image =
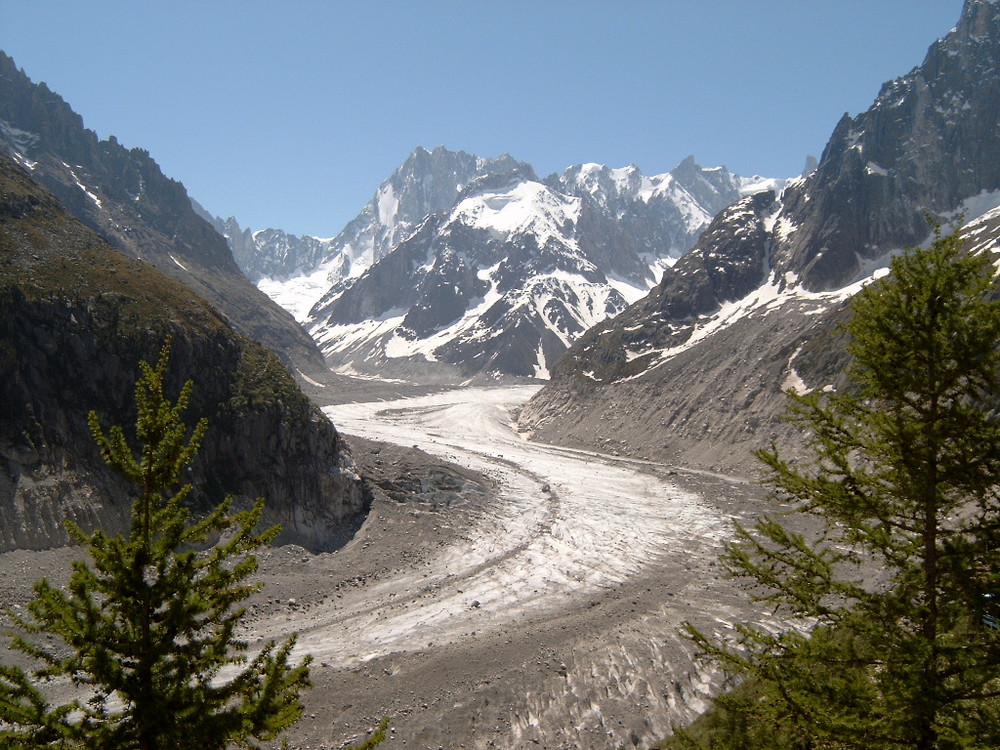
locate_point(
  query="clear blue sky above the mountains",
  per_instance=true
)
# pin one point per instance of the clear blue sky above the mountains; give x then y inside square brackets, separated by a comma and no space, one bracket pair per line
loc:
[290,114]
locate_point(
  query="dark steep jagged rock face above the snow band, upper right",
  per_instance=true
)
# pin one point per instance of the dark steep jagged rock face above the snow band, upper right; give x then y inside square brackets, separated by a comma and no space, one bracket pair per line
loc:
[929,142]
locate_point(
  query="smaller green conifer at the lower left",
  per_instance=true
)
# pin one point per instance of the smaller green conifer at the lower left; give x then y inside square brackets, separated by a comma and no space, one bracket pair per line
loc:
[147,629]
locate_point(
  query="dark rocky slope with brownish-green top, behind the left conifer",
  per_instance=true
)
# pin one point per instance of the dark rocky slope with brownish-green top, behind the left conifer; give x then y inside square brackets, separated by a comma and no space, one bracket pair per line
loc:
[76,315]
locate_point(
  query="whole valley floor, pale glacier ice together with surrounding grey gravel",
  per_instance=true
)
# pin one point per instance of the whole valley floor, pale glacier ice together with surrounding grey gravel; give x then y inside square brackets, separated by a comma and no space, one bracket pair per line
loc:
[500,593]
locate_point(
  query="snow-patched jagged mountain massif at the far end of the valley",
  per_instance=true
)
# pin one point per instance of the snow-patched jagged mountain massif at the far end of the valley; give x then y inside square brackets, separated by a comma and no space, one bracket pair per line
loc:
[461,266]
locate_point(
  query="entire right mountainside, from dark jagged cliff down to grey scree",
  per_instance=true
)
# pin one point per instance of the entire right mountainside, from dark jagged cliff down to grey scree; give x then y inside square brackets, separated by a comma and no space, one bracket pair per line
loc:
[695,372]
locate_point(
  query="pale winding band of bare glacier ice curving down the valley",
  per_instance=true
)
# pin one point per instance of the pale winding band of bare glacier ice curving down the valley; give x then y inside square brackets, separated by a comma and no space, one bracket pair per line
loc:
[570,523]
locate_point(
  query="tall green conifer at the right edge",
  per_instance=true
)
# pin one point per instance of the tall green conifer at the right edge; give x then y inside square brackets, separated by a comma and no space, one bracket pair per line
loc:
[897,646]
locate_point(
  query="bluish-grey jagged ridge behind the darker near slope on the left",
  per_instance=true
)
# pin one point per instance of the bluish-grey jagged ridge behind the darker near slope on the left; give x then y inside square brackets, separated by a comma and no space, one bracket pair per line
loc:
[123,195]
